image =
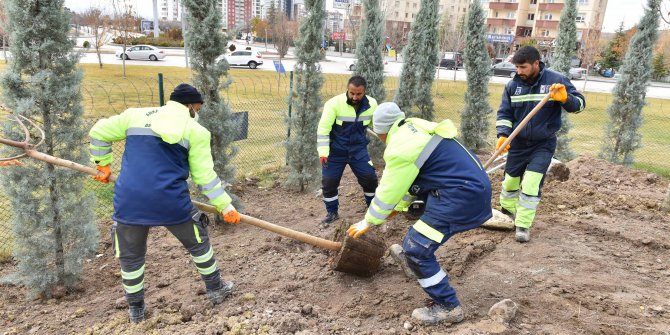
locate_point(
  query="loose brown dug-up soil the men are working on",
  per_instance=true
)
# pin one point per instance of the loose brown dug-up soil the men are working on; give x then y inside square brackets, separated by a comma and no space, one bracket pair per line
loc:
[598,263]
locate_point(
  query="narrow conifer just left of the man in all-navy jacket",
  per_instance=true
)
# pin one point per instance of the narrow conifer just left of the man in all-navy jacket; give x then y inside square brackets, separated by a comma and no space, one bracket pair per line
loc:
[475,115]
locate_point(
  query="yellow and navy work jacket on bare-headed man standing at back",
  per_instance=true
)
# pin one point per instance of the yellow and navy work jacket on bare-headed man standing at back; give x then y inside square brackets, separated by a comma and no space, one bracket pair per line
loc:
[341,129]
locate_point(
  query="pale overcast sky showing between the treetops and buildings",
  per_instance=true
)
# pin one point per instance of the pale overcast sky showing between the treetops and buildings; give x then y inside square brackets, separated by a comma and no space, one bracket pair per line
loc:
[628,11]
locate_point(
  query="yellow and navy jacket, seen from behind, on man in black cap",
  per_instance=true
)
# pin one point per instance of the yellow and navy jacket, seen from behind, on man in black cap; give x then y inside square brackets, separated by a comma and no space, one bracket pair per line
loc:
[163,145]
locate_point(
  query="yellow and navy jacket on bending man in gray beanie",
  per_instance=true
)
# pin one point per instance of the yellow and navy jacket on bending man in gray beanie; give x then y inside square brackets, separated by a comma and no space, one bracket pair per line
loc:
[423,156]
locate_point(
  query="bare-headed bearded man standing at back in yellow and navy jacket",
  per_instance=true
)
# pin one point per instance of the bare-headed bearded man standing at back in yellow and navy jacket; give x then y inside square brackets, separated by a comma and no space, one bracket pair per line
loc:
[342,140]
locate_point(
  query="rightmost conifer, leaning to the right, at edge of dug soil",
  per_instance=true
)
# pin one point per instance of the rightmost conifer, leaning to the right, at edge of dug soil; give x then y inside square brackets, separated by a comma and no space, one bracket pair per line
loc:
[621,136]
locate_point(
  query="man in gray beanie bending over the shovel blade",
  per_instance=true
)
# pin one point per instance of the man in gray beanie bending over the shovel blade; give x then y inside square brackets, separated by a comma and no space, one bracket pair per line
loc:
[425,161]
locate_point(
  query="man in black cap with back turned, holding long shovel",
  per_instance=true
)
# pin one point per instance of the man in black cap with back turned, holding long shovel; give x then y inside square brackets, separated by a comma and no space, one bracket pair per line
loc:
[163,146]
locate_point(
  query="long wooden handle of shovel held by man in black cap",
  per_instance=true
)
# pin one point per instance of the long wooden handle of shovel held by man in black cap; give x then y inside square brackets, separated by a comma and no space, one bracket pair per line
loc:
[290,233]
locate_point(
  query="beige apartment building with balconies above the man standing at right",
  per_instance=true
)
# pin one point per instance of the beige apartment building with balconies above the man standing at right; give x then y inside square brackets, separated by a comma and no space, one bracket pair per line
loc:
[510,22]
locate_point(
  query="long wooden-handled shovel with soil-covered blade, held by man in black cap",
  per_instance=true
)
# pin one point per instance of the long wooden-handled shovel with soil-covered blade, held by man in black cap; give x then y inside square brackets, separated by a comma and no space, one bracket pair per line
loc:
[360,256]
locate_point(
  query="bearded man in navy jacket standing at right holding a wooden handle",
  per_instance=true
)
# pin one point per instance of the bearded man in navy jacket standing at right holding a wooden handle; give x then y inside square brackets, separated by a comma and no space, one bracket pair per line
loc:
[530,152]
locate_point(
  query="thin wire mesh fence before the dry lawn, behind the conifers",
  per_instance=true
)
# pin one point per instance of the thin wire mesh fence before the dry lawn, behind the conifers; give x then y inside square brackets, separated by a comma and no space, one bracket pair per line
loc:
[264,96]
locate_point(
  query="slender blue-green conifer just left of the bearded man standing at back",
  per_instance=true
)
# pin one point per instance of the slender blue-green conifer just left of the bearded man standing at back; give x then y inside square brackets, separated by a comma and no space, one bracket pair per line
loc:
[303,163]
